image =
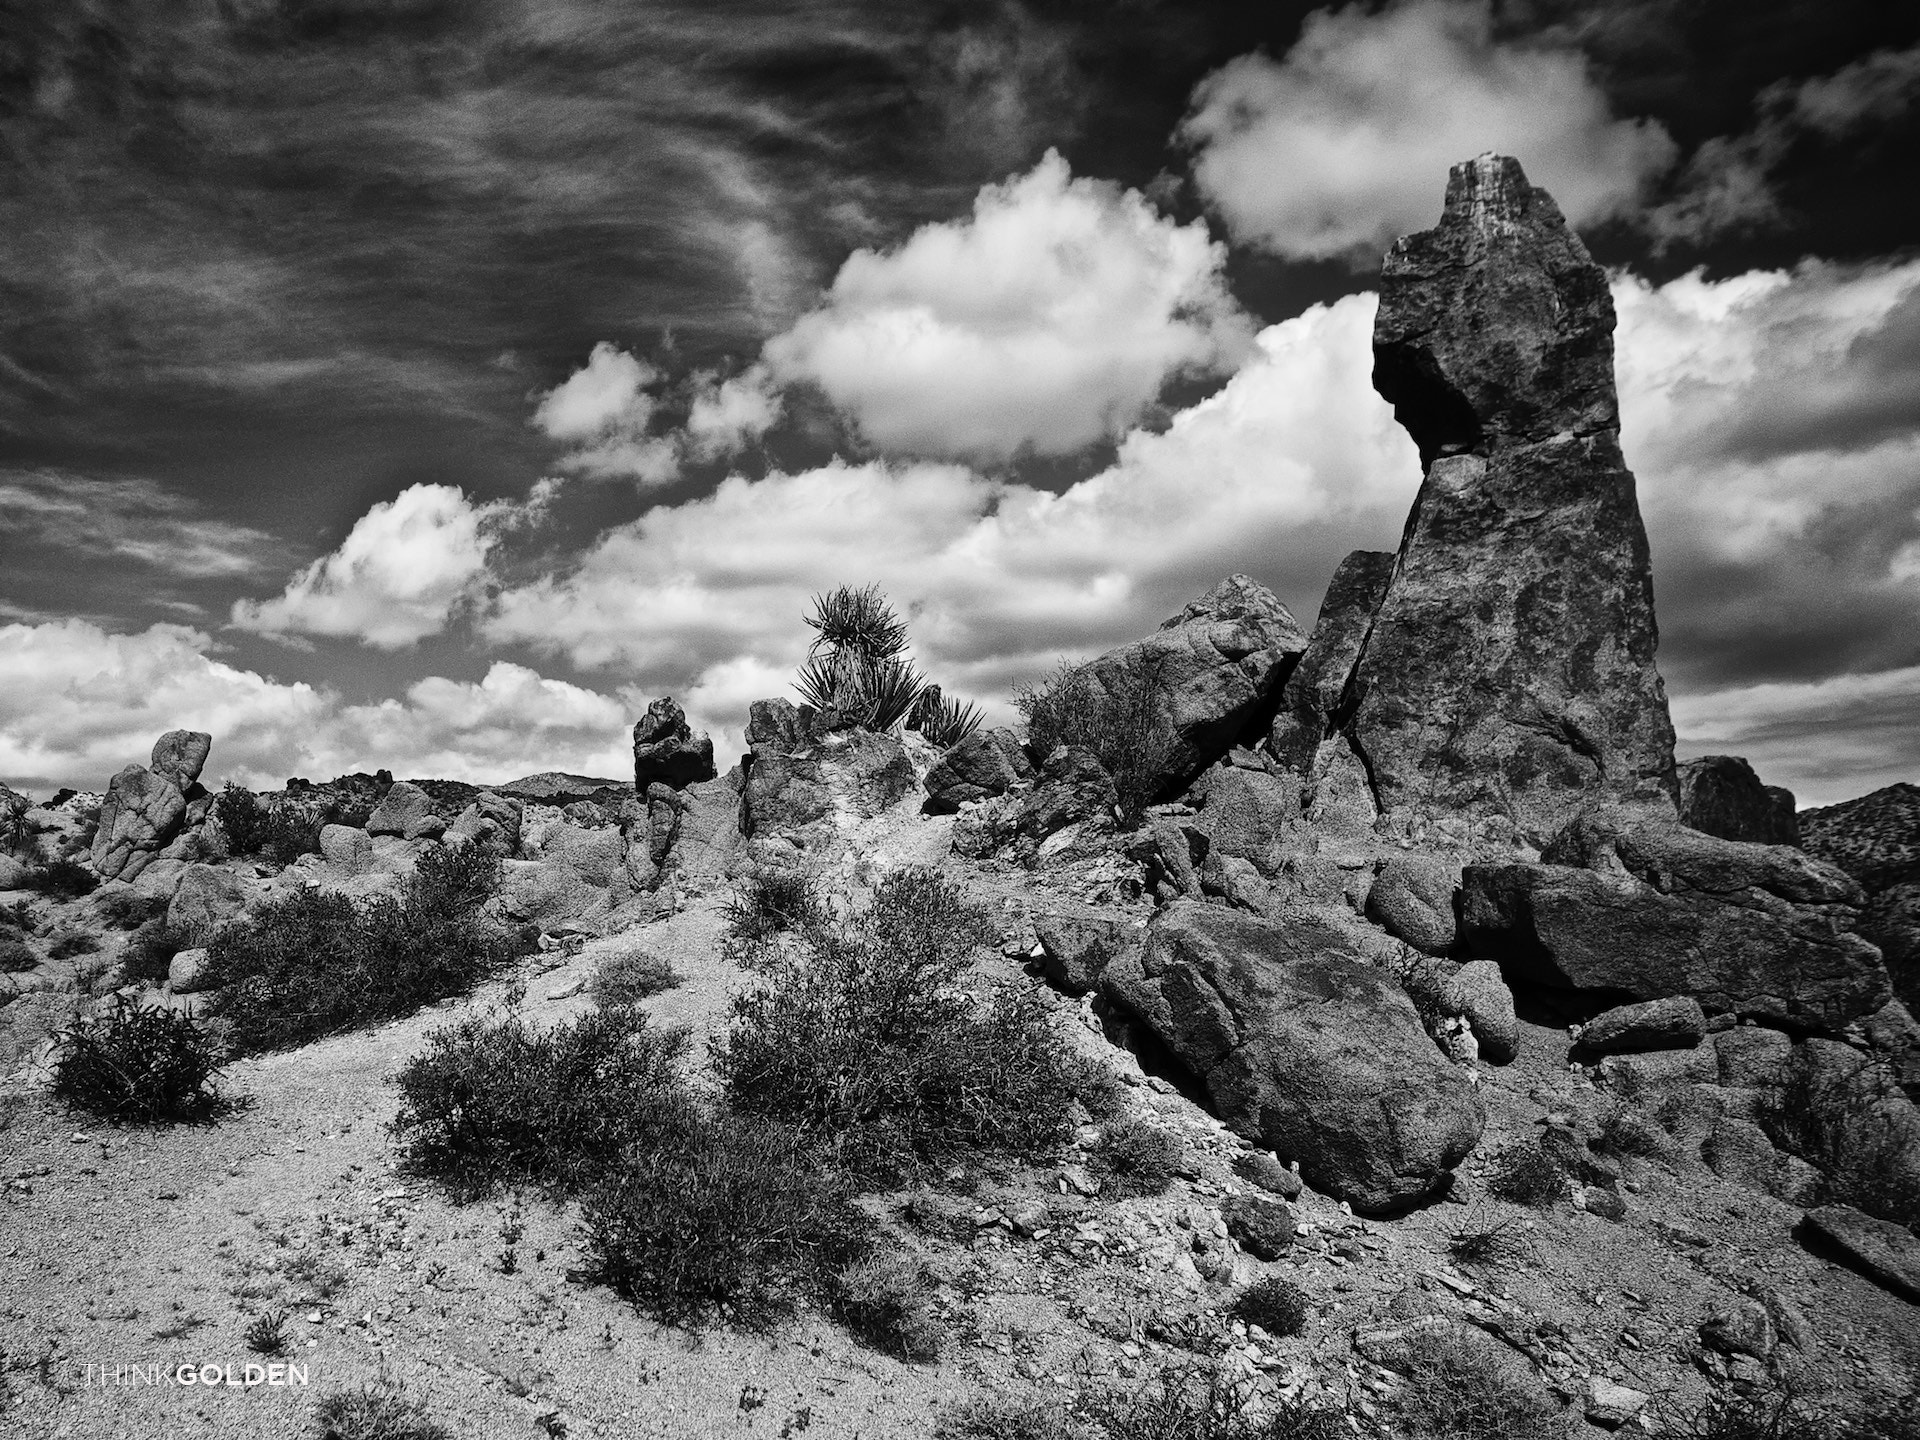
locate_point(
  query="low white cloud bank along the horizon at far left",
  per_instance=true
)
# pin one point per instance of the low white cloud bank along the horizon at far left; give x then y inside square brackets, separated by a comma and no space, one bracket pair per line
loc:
[80,702]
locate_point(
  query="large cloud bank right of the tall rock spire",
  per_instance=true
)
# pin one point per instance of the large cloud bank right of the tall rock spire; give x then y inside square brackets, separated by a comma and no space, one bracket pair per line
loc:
[1775,429]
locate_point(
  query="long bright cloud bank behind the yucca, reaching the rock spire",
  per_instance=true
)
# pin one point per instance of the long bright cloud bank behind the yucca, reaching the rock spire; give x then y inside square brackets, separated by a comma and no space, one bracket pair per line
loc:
[1280,473]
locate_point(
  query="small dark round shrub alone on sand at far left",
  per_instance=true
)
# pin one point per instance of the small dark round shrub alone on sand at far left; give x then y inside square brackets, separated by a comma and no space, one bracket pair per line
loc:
[139,1067]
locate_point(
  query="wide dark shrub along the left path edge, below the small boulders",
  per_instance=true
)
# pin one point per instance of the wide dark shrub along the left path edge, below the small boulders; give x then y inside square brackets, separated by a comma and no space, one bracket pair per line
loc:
[318,963]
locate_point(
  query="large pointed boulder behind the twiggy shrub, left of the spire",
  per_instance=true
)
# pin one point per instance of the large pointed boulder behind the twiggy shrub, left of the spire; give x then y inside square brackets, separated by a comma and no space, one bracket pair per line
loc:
[1218,665]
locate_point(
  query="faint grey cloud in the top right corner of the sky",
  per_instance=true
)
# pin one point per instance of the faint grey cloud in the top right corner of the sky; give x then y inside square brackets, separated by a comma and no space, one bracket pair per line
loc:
[1729,185]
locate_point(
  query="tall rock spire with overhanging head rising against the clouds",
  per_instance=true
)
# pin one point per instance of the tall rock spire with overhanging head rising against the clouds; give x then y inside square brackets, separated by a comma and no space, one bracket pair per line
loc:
[1508,669]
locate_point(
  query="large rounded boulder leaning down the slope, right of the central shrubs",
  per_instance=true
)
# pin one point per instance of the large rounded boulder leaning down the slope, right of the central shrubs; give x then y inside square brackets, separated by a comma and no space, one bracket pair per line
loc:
[1305,1049]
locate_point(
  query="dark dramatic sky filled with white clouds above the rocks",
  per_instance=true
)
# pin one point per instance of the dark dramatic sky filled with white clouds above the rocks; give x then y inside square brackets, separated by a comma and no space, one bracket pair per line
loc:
[433,383]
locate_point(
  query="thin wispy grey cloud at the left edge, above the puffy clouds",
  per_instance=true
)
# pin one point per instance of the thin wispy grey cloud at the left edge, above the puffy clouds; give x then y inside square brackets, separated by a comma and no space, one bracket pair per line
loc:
[128,521]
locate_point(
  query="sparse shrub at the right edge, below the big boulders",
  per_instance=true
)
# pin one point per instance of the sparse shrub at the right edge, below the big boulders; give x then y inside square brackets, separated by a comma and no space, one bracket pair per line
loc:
[1838,1124]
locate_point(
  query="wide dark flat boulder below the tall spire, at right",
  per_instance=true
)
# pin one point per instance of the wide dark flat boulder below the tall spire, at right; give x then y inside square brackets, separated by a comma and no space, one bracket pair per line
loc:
[1639,905]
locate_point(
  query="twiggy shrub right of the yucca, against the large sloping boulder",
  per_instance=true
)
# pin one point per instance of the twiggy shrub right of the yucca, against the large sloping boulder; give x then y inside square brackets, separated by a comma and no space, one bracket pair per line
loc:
[1120,715]
